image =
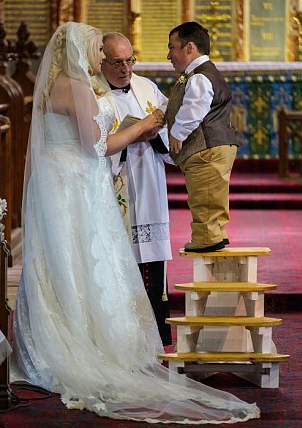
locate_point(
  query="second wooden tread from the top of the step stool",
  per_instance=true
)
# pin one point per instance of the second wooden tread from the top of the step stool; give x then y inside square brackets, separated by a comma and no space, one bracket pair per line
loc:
[225,286]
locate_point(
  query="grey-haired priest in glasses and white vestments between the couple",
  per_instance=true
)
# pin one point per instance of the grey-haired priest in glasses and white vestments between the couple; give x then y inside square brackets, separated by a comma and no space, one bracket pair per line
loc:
[139,174]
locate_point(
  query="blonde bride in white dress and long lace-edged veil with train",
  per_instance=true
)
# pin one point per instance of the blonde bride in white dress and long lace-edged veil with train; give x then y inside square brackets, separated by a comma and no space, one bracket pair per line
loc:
[83,325]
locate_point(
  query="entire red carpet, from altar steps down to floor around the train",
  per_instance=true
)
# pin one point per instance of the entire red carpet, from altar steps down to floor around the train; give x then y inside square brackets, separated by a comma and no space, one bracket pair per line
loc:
[278,229]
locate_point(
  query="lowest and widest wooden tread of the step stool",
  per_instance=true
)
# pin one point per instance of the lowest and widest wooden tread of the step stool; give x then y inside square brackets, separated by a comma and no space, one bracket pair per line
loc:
[224,356]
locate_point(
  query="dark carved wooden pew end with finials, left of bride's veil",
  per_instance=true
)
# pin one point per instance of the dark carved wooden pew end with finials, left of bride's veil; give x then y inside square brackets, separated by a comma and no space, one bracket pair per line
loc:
[16,90]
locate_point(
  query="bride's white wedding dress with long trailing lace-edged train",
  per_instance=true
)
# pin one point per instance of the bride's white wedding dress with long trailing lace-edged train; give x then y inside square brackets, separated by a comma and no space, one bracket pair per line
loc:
[83,324]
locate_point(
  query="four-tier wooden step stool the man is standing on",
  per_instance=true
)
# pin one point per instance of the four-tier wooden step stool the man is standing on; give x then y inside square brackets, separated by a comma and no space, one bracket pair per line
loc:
[224,328]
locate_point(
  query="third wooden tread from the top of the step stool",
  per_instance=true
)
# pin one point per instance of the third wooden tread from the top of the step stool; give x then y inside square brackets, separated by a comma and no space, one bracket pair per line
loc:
[212,321]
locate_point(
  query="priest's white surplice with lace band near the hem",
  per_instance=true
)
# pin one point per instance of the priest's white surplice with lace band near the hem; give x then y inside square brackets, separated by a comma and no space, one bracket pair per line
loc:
[148,203]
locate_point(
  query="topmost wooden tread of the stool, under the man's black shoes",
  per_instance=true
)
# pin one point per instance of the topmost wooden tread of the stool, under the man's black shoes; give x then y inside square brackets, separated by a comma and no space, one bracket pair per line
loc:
[229,252]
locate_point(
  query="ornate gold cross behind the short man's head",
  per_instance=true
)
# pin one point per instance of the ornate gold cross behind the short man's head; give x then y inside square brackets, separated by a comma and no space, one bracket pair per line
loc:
[214,18]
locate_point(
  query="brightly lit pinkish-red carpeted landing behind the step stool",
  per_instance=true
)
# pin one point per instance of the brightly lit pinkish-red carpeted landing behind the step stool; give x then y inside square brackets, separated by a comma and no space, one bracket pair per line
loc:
[280,230]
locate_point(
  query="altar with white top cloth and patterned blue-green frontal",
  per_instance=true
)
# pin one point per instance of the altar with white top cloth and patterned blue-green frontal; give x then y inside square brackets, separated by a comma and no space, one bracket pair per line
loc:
[259,90]
